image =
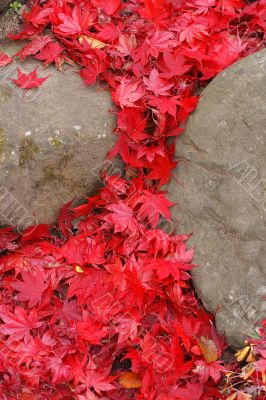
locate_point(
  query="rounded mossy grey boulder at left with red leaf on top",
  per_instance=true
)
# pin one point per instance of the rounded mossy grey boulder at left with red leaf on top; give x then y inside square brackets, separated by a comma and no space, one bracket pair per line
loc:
[53,141]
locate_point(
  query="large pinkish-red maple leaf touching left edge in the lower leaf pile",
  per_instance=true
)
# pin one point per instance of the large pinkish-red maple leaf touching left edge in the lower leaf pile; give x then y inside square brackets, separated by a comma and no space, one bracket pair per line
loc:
[19,325]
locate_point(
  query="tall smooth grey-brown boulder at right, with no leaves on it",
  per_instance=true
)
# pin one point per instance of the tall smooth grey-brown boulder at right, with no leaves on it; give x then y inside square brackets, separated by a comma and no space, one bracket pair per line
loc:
[220,188]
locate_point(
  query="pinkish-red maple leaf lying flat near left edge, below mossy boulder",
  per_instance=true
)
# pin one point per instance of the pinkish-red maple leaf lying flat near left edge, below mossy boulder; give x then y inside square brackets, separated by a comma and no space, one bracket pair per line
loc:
[31,288]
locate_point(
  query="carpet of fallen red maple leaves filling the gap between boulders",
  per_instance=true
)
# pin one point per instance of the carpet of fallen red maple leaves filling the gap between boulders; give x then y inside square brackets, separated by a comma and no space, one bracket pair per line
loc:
[100,306]
